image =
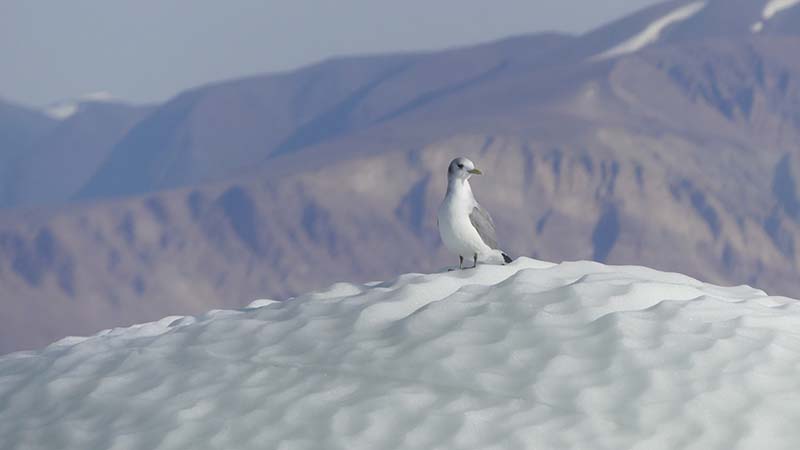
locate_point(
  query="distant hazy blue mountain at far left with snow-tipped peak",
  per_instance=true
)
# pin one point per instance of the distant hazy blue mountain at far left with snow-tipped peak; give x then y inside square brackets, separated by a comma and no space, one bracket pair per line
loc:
[49,157]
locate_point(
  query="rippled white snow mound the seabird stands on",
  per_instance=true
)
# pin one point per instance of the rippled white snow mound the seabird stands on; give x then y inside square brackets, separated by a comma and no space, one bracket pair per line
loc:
[529,355]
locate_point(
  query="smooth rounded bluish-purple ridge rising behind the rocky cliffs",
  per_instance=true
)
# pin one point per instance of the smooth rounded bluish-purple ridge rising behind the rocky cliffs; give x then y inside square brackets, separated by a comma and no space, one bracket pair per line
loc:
[215,132]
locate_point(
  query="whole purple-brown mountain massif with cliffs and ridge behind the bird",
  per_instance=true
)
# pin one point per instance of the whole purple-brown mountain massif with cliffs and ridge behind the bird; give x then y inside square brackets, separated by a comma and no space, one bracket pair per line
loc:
[679,153]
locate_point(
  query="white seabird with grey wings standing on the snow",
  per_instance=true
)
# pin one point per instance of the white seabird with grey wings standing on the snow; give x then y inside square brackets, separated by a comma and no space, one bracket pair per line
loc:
[467,229]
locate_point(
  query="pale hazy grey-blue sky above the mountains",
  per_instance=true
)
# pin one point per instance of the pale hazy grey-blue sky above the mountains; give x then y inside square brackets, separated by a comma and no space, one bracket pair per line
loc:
[148,50]
